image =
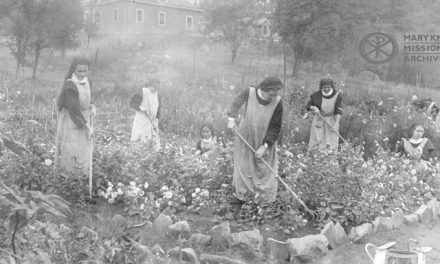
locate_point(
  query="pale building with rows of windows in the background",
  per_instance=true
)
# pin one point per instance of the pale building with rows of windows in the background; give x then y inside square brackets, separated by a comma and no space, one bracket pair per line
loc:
[144,18]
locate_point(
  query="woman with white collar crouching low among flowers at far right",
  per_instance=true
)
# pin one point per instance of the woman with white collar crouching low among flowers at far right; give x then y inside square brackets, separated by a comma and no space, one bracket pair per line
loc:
[418,148]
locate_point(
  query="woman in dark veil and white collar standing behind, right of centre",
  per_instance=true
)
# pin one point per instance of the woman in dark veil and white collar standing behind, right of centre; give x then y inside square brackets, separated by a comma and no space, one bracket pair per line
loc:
[326,104]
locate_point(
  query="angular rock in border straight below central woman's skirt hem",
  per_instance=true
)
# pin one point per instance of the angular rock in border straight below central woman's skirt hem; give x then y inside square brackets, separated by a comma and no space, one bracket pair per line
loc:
[248,242]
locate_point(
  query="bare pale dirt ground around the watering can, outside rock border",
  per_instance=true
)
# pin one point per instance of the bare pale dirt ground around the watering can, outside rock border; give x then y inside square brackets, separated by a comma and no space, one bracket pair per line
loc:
[355,254]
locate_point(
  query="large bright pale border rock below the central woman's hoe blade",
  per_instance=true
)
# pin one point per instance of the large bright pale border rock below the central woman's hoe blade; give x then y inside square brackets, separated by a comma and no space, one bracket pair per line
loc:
[307,248]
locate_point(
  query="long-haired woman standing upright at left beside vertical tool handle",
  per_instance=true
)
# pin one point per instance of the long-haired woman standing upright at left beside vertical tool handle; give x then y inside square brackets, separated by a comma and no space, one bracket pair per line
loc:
[74,129]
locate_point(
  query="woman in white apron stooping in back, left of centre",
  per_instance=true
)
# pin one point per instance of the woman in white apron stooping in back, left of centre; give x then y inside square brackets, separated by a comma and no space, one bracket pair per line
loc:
[146,120]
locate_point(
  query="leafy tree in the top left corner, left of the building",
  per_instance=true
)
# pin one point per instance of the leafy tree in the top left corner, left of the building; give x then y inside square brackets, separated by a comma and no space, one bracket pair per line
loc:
[32,25]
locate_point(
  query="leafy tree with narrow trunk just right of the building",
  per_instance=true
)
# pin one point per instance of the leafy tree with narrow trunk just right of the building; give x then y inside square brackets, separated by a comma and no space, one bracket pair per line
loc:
[233,18]
